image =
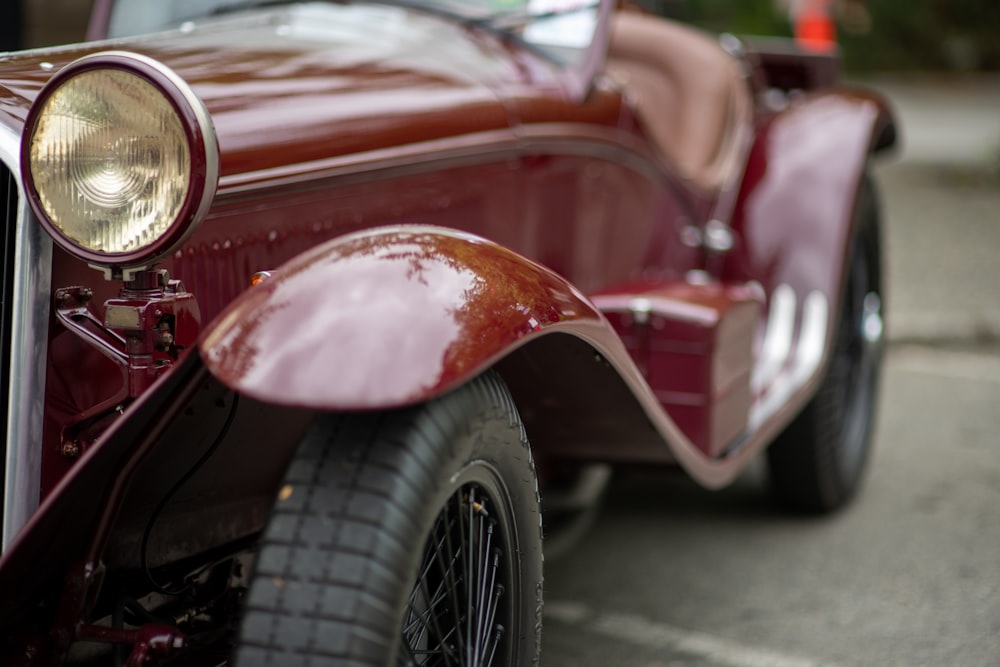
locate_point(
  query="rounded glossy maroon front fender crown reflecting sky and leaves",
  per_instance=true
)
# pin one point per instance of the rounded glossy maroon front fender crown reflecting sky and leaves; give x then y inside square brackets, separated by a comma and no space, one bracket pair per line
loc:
[386,317]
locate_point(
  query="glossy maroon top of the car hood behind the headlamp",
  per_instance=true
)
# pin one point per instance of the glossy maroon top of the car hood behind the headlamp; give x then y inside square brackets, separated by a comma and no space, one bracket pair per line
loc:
[313,82]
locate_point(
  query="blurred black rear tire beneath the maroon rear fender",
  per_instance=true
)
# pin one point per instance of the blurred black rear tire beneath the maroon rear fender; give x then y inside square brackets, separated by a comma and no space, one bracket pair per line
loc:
[817,464]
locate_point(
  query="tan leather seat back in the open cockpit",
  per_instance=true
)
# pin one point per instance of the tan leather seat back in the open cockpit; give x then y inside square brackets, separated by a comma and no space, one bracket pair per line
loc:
[689,94]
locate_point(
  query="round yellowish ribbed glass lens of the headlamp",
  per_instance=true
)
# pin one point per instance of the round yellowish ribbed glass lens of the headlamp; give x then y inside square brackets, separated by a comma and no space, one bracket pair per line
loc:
[110,161]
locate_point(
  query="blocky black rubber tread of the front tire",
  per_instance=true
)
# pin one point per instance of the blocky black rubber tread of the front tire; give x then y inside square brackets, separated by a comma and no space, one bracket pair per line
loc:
[325,585]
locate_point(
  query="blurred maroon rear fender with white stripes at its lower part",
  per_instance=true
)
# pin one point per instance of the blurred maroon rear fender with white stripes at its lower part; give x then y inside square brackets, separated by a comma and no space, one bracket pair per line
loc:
[793,223]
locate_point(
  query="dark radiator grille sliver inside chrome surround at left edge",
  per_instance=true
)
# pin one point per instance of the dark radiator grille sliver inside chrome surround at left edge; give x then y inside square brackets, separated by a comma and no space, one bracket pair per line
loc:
[8,224]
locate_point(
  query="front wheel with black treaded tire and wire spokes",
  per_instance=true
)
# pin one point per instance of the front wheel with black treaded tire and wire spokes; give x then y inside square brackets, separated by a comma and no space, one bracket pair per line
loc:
[381,513]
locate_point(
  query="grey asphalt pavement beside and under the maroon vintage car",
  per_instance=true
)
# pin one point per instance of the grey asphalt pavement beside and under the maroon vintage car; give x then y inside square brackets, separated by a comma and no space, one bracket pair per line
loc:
[673,576]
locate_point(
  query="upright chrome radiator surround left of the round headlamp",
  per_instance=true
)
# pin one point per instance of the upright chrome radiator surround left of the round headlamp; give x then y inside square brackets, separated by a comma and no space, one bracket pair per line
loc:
[30,310]
